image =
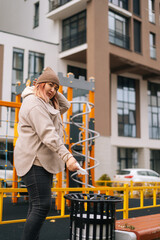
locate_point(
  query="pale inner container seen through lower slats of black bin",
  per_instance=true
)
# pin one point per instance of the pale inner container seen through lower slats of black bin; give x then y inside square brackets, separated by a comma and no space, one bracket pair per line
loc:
[91,226]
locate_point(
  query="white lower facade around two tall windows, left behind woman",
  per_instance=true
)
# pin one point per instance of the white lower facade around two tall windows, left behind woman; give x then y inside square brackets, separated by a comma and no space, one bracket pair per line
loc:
[11,41]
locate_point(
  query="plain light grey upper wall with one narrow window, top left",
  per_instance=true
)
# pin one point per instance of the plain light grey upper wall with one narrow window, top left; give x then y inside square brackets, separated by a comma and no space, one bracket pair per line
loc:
[17,16]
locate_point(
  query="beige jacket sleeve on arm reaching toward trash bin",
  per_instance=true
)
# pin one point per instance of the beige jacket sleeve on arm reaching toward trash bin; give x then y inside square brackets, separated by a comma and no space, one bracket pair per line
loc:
[45,129]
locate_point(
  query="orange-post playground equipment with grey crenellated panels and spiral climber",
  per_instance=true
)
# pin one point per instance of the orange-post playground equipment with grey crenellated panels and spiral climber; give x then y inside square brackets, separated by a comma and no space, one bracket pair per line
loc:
[79,127]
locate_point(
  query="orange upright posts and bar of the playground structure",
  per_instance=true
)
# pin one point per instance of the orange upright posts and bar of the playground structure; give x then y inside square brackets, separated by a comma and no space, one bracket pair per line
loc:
[68,139]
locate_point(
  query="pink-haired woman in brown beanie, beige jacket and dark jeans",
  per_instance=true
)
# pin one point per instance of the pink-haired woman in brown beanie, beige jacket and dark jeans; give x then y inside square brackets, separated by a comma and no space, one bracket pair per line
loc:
[40,151]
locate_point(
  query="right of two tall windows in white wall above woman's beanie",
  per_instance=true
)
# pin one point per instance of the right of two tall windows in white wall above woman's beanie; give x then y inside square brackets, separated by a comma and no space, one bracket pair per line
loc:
[36,63]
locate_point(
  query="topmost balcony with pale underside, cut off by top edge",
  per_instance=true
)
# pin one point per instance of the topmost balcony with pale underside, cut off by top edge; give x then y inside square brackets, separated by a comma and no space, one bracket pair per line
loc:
[61,9]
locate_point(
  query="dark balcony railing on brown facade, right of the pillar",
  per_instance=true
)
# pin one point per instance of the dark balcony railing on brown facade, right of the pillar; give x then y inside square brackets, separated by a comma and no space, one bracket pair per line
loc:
[119,39]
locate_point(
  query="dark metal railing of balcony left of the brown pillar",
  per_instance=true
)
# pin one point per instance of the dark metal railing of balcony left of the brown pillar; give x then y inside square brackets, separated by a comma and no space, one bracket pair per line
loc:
[74,40]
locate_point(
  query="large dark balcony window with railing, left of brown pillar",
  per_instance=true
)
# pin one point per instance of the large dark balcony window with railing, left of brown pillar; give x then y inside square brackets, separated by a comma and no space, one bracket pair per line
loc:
[74,31]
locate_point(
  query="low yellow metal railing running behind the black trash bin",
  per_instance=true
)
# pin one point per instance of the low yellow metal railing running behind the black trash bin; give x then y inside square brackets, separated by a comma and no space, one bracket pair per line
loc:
[126,189]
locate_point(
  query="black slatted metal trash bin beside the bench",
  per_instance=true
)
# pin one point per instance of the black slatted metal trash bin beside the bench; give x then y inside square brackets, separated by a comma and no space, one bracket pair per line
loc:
[92,216]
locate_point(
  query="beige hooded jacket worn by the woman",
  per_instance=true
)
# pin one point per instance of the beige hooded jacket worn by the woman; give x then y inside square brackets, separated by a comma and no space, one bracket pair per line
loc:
[40,134]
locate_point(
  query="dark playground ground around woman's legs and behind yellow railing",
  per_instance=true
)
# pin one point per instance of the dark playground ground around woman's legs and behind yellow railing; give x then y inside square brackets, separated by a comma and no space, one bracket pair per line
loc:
[58,230]
